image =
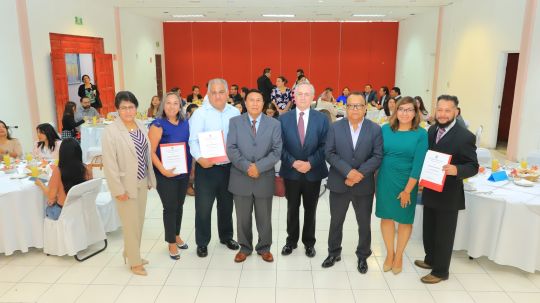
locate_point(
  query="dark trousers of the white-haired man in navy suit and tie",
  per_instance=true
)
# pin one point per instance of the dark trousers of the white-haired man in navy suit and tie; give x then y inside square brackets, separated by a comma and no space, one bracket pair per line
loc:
[295,192]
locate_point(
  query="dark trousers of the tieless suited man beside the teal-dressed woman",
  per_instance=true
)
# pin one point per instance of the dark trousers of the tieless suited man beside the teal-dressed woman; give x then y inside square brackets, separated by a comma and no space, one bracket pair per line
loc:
[339,204]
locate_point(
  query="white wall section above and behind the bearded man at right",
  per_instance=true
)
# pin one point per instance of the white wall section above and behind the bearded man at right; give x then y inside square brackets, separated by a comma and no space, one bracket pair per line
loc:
[476,35]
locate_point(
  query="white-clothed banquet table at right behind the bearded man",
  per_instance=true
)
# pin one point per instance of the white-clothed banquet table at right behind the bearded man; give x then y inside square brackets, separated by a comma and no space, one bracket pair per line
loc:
[501,221]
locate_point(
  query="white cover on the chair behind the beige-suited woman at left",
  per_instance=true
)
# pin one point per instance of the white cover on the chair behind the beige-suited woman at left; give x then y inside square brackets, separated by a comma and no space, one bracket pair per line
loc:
[78,226]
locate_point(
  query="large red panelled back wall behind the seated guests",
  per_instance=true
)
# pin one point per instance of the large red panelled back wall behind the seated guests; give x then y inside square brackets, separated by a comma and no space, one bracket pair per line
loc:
[331,53]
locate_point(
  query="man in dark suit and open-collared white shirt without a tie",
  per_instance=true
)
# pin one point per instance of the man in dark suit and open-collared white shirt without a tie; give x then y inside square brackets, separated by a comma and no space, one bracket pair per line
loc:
[354,149]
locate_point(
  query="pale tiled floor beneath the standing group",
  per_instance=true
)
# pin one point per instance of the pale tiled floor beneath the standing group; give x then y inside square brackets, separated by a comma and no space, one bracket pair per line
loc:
[35,277]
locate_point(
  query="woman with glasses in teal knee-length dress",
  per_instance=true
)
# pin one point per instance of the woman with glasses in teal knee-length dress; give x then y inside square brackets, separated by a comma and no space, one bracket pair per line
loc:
[405,145]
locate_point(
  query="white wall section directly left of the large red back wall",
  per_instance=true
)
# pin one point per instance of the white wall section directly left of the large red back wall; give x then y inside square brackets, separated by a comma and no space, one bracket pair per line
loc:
[139,37]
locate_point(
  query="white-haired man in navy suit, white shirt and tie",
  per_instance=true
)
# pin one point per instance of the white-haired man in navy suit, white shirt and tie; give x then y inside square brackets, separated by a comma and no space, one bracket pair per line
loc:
[302,166]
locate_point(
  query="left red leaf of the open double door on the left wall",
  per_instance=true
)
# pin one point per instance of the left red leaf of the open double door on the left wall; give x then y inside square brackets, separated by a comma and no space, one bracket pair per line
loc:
[61,94]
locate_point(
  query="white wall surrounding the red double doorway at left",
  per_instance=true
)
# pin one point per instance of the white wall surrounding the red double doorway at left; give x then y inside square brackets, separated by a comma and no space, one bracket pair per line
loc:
[46,17]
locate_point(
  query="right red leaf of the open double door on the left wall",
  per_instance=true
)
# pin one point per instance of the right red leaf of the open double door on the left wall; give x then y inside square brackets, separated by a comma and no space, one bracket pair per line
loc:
[105,81]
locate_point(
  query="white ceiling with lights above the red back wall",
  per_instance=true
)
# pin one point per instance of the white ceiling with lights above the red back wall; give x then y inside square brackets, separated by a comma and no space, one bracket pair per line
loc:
[305,10]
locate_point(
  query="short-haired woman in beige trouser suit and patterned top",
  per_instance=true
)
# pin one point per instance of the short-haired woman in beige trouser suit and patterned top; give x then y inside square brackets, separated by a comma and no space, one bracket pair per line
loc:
[128,169]
